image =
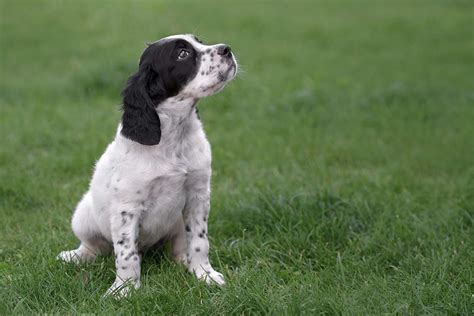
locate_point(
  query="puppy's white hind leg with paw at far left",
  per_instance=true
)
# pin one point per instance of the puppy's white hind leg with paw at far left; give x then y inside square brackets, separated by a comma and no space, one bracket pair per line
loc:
[85,228]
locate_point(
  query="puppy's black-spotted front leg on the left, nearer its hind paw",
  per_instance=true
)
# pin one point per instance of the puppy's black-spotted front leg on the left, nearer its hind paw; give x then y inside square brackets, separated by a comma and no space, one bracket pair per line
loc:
[124,226]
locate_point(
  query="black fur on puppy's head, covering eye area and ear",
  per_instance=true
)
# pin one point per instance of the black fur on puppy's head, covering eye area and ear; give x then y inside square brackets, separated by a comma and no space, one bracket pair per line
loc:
[165,67]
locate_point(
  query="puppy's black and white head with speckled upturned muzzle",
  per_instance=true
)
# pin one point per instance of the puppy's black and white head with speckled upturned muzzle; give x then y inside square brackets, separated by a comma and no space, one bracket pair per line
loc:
[178,66]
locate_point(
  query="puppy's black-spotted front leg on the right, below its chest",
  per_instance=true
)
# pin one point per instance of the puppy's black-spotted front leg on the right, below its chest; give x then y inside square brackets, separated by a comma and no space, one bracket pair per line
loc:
[195,216]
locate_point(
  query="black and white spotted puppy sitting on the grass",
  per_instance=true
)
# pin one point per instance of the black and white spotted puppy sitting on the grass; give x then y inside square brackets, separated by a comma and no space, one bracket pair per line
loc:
[153,181]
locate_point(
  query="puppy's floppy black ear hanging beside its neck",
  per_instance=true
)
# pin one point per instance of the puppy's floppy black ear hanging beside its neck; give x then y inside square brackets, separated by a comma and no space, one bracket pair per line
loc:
[140,122]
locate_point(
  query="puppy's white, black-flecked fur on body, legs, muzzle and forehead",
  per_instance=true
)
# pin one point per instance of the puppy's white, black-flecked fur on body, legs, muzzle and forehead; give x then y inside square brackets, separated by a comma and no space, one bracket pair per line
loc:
[140,195]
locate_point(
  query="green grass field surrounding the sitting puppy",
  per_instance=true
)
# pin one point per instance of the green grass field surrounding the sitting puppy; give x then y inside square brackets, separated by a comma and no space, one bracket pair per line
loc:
[343,155]
